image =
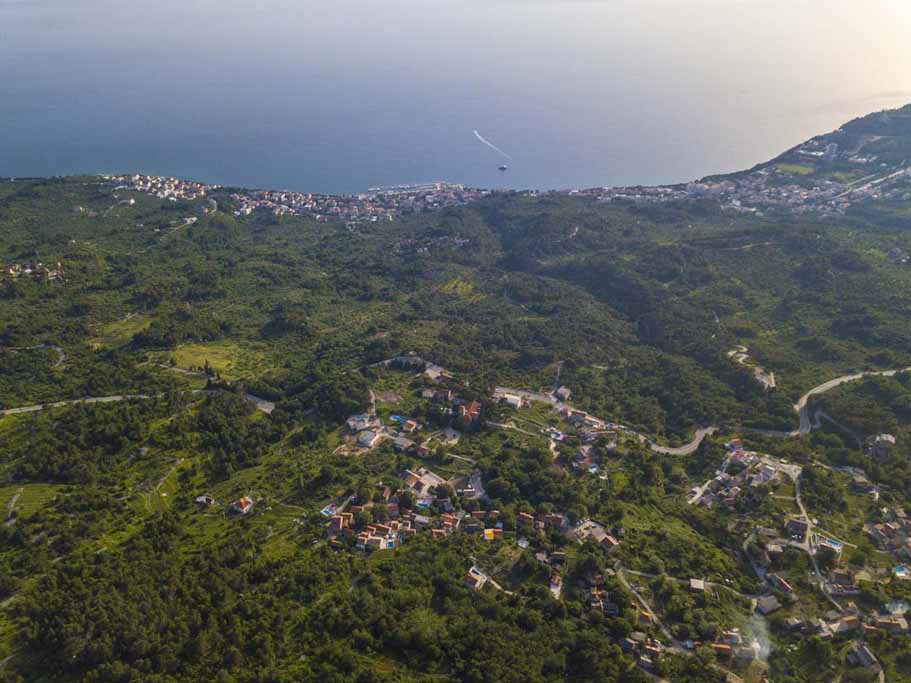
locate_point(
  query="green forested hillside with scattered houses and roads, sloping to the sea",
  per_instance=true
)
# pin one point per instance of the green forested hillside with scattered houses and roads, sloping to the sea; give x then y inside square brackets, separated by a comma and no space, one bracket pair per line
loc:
[241,442]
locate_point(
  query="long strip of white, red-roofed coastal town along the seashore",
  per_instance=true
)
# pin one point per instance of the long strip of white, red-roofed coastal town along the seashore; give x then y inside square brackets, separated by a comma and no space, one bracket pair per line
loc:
[822,177]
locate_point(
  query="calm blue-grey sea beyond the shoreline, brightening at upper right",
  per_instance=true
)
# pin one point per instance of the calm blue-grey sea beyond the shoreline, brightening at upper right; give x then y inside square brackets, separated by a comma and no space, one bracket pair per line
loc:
[342,96]
